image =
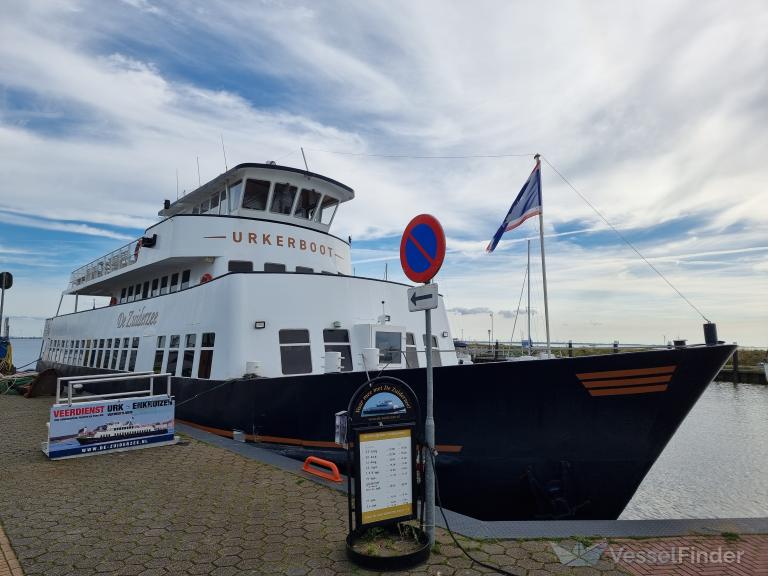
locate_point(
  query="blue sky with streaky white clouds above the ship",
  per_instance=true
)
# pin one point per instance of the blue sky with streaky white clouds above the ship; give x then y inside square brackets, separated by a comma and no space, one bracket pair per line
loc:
[655,111]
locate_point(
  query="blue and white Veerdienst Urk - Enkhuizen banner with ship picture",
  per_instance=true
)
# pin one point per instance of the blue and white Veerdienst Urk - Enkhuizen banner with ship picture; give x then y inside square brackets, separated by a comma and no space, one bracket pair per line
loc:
[108,425]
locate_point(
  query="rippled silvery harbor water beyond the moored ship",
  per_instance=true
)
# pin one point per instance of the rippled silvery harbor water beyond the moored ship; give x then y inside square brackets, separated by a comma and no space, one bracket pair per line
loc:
[716,465]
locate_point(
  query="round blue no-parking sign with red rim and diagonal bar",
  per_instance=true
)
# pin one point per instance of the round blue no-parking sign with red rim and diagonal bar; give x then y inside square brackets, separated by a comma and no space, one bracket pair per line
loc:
[422,248]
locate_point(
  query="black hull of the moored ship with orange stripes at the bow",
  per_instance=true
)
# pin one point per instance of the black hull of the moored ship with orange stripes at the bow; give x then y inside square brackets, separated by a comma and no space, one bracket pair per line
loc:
[557,438]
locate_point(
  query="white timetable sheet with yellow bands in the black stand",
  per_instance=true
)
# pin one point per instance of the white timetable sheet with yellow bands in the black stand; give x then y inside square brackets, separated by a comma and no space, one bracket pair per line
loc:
[386,476]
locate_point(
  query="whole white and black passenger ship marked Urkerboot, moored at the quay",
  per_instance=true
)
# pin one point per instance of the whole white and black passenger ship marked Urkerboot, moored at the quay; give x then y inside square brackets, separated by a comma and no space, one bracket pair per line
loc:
[242,292]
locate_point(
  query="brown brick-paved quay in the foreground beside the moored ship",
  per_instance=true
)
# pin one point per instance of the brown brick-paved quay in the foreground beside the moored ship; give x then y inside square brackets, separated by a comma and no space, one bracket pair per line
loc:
[199,509]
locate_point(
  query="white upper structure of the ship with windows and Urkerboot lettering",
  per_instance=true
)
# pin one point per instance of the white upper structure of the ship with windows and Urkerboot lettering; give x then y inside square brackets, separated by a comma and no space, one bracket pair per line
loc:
[242,276]
